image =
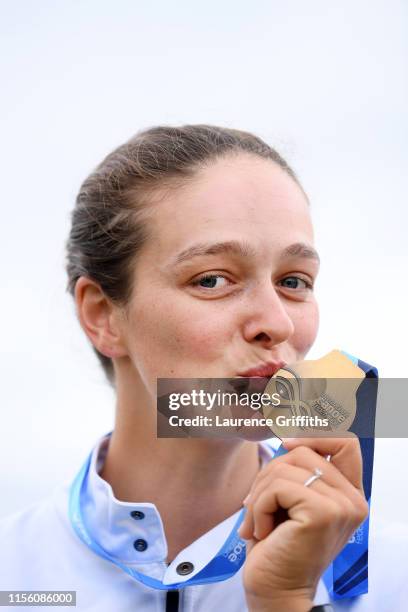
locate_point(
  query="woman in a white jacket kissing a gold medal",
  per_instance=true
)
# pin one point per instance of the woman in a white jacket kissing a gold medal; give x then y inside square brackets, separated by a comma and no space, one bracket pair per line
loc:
[191,254]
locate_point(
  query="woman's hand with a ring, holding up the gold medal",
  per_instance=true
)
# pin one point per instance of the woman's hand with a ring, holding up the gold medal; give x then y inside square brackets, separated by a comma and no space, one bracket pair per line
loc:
[294,531]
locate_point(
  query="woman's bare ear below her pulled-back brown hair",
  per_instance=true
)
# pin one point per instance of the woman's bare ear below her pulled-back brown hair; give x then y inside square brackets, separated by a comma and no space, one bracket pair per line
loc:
[99,318]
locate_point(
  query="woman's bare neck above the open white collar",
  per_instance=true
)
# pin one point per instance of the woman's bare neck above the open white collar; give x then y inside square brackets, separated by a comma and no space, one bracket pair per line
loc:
[195,483]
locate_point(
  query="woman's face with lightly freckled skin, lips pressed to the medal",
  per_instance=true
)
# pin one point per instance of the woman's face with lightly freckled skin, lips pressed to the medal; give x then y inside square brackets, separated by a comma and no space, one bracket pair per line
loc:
[224,284]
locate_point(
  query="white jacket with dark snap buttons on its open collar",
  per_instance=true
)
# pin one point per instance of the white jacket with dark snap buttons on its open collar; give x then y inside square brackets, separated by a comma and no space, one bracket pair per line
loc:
[41,551]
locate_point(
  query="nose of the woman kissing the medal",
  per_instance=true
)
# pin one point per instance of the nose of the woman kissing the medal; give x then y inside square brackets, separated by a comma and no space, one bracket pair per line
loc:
[267,321]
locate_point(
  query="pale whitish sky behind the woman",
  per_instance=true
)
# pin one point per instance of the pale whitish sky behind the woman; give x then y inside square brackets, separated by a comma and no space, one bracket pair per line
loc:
[323,82]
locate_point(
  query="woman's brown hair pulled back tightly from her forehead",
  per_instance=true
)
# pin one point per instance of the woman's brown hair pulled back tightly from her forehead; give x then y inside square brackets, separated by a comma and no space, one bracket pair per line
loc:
[109,220]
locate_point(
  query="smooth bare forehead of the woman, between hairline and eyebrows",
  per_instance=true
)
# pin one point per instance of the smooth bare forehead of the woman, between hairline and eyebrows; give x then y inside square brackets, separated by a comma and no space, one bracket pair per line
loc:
[234,198]
